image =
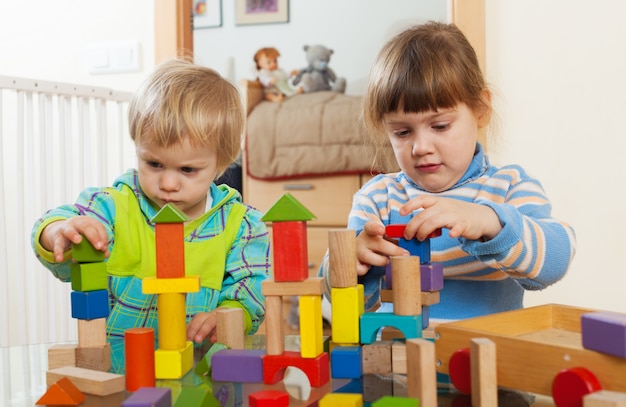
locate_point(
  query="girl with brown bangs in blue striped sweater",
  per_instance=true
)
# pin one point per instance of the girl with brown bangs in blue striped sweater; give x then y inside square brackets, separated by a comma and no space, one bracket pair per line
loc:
[426,96]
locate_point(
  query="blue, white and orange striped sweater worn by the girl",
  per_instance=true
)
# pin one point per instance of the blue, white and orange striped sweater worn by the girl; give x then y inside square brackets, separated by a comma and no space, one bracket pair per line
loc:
[532,251]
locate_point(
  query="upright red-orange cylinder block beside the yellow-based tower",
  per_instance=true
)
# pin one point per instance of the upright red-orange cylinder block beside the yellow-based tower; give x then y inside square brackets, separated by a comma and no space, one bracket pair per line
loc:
[139,354]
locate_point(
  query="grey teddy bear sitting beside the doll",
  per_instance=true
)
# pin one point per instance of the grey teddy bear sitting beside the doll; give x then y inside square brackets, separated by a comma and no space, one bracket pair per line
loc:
[318,76]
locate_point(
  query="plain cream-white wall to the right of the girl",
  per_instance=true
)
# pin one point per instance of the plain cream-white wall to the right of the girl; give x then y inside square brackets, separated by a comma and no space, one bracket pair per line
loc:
[559,69]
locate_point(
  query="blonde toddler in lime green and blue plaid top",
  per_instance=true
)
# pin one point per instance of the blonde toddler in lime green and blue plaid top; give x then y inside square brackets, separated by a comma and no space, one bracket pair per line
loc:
[186,122]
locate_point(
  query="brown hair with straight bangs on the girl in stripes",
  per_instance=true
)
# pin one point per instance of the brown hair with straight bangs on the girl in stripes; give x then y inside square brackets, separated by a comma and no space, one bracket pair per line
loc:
[424,68]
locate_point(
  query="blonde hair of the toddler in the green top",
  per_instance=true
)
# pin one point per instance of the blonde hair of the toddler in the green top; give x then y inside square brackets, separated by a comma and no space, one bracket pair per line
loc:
[184,102]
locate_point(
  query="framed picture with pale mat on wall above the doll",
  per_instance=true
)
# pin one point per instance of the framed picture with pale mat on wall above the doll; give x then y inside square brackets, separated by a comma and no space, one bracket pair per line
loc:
[261,11]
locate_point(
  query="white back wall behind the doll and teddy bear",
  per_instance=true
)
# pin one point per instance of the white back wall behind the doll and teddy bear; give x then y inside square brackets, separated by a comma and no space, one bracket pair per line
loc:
[354,29]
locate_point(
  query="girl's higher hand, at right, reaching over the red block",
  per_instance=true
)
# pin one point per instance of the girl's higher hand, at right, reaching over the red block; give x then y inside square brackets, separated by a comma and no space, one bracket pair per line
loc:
[463,219]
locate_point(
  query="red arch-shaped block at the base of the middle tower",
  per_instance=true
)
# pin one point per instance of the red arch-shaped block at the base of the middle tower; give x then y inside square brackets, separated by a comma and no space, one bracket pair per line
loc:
[317,369]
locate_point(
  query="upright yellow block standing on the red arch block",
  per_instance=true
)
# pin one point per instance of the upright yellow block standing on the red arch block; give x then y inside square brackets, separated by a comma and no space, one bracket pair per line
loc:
[311,326]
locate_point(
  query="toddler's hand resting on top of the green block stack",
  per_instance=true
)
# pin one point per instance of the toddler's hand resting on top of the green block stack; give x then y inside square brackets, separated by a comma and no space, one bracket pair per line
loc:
[58,236]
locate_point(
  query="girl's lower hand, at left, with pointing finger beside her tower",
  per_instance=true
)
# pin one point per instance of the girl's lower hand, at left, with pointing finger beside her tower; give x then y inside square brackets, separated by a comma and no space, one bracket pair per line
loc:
[372,249]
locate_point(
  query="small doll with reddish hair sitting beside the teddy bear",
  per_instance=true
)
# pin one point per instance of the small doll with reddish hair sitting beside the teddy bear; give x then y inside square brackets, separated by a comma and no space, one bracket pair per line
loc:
[275,80]
